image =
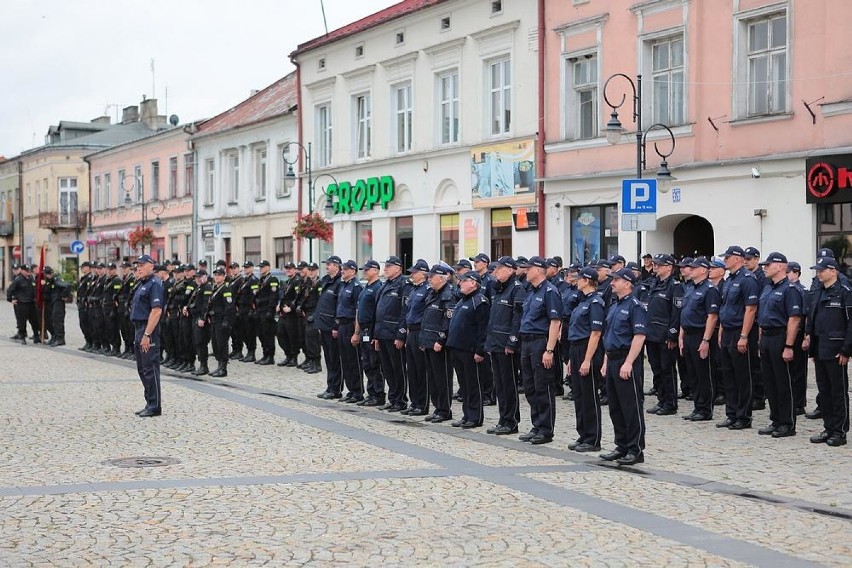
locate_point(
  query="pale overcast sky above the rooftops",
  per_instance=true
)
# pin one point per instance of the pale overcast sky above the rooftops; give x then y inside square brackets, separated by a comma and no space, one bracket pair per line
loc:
[76,60]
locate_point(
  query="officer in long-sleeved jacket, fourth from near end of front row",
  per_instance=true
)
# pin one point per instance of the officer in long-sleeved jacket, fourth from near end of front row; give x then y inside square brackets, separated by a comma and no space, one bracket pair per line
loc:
[503,343]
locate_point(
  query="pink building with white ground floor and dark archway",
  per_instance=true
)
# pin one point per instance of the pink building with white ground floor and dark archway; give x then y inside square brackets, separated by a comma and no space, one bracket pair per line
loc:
[758,97]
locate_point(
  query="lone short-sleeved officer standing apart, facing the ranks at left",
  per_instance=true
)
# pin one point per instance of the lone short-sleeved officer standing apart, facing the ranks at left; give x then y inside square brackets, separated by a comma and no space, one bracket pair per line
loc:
[145,312]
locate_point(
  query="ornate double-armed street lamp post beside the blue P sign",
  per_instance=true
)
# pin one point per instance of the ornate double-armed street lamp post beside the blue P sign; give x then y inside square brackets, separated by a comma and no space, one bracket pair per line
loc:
[614,131]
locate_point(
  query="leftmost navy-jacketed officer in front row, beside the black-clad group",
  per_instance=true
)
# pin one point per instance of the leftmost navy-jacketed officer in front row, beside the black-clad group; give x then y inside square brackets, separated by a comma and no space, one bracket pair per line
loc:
[325,318]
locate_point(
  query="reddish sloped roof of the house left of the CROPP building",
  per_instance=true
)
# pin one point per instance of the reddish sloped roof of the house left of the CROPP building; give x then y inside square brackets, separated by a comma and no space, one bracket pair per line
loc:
[277,99]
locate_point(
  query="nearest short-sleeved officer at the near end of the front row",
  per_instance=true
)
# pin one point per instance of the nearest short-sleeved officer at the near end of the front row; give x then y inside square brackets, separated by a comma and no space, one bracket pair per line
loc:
[623,339]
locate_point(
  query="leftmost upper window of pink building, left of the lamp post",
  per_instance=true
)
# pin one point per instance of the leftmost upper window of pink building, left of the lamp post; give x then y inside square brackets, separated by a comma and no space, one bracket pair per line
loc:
[582,111]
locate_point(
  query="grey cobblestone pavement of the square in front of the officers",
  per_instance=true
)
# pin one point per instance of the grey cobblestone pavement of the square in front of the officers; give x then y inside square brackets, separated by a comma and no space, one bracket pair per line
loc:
[266,473]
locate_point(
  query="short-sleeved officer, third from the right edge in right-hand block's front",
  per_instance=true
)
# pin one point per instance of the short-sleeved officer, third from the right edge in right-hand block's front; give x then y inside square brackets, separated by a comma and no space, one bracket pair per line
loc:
[737,315]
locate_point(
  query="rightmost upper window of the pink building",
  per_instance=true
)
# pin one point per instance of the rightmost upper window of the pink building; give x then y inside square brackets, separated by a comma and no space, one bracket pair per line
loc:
[767,65]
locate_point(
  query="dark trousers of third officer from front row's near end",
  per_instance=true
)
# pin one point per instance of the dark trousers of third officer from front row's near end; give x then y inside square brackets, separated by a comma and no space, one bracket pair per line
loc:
[538,385]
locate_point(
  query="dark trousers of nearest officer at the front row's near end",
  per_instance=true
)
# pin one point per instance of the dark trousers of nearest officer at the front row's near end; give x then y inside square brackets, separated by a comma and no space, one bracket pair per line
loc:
[626,401]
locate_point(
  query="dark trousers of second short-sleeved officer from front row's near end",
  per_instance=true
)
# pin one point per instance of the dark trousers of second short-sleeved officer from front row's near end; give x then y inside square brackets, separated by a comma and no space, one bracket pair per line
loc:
[587,402]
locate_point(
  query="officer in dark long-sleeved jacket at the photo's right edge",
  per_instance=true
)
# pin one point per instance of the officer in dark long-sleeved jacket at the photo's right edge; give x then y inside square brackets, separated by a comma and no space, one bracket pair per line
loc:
[828,339]
